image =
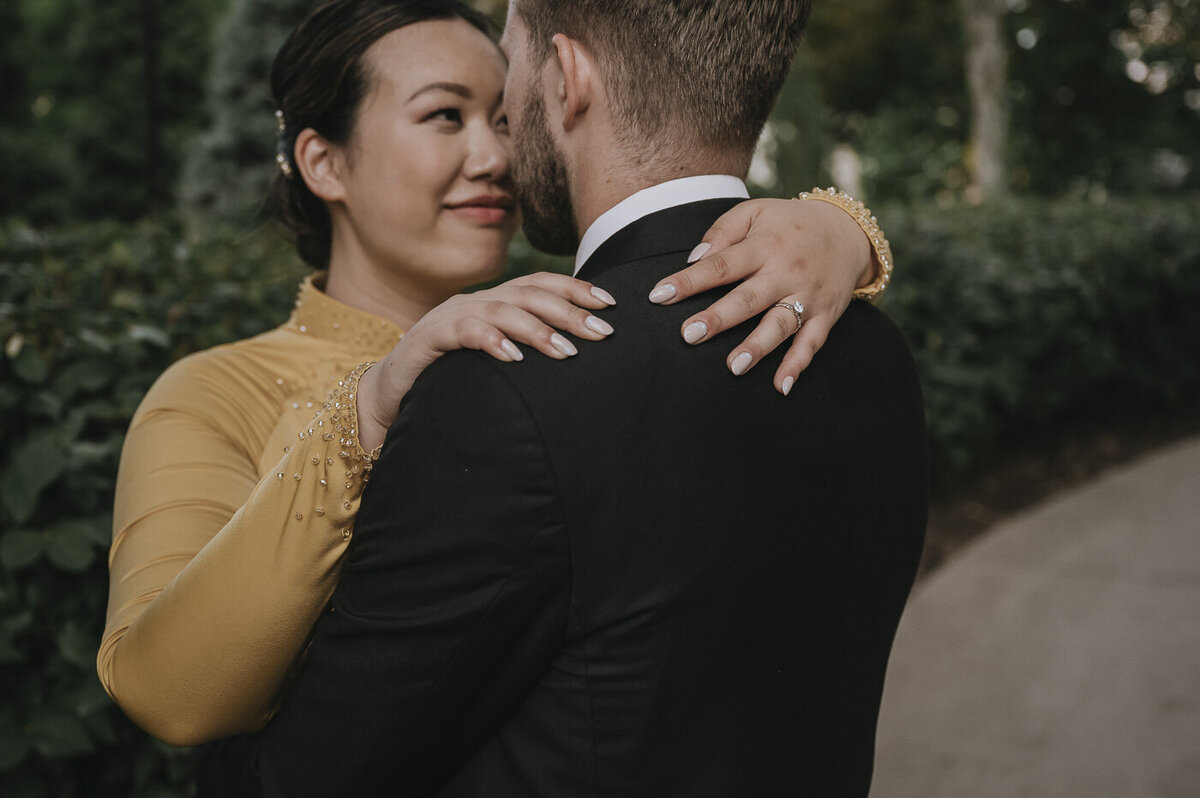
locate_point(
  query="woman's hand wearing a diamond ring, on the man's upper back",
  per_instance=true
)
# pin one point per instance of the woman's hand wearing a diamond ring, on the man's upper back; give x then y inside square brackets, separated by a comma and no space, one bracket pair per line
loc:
[784,251]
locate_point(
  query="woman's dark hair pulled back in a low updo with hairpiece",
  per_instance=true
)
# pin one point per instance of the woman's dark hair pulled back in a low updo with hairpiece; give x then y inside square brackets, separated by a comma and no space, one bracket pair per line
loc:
[319,81]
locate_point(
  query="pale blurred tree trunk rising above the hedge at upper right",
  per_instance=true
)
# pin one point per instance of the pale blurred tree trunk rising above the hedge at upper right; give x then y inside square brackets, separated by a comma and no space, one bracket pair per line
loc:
[987,67]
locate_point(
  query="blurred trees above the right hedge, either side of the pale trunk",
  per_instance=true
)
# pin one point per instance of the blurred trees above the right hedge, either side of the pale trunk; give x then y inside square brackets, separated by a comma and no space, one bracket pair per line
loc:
[892,75]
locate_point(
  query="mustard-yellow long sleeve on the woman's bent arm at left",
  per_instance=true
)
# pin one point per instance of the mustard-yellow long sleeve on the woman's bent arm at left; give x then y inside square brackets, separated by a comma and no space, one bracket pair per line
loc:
[217,578]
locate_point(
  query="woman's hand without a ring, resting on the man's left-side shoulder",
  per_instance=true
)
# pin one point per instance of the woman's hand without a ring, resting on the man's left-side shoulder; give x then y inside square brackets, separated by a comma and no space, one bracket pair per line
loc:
[529,310]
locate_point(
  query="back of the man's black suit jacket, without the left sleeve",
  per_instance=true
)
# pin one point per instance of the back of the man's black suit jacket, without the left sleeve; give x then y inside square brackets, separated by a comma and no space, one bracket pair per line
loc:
[737,560]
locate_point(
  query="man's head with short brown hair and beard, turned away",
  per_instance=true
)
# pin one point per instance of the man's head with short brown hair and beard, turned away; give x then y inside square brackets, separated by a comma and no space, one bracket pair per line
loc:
[681,83]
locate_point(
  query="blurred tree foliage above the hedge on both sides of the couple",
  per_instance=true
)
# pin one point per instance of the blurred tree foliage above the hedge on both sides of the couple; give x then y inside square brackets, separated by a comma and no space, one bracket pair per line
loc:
[105,109]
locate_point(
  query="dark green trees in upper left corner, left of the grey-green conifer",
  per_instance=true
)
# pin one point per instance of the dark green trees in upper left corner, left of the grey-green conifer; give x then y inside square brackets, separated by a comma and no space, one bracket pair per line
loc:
[99,103]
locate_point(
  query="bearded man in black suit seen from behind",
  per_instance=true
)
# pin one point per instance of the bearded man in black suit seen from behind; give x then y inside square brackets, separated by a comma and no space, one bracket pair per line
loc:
[627,574]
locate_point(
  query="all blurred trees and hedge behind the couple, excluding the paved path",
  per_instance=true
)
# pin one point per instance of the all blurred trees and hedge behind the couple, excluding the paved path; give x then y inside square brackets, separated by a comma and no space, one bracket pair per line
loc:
[1035,163]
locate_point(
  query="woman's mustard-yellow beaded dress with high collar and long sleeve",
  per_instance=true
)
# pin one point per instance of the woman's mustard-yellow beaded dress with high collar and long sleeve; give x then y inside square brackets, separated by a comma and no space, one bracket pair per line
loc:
[238,489]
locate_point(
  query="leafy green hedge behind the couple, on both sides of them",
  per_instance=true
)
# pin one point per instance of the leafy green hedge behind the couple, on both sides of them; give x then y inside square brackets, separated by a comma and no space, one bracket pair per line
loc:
[1019,316]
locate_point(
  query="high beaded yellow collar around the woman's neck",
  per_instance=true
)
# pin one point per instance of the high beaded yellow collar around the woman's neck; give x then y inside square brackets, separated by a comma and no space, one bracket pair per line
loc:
[322,317]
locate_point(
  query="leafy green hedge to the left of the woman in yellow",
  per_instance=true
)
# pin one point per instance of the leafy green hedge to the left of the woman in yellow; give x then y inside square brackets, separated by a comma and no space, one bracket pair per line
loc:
[88,320]
